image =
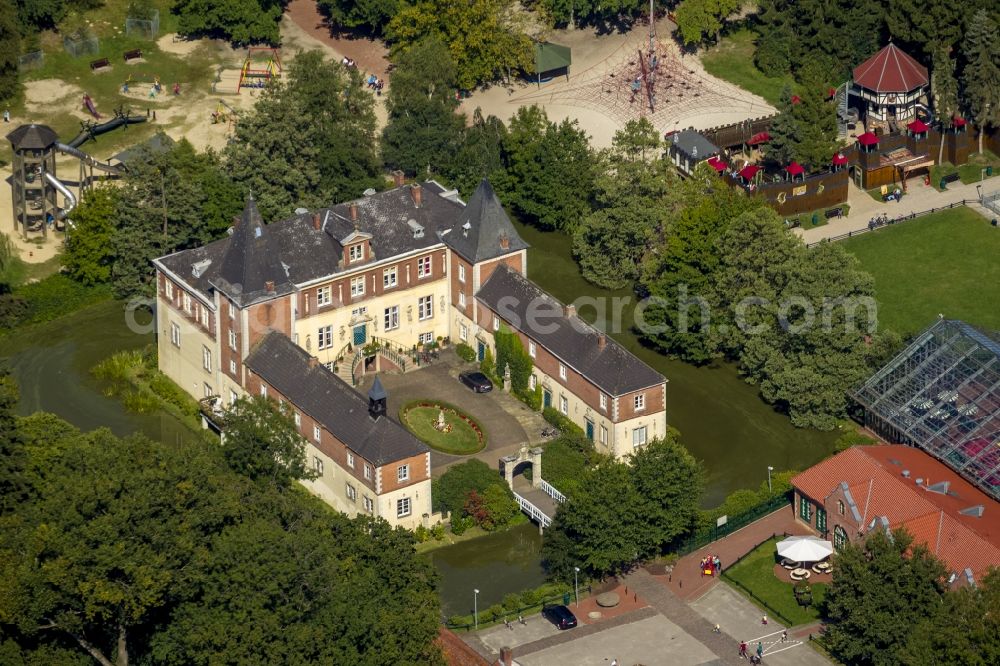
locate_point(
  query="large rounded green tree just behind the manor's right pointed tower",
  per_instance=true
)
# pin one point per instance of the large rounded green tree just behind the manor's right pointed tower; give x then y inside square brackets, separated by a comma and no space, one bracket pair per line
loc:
[550,170]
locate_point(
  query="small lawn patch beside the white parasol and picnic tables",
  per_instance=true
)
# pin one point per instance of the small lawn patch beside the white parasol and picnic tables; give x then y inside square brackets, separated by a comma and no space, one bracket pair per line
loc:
[755,572]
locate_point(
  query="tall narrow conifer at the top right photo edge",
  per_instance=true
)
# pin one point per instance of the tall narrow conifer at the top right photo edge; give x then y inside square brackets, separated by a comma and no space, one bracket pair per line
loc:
[981,76]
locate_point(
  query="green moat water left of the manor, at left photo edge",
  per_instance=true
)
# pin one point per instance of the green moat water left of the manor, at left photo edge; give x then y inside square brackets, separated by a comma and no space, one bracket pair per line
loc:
[52,362]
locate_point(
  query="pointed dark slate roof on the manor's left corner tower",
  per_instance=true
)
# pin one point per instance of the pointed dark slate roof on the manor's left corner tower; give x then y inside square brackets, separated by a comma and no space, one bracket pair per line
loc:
[249,261]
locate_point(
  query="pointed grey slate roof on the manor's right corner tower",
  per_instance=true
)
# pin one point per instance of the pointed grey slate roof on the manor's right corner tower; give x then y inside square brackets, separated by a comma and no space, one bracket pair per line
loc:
[484,231]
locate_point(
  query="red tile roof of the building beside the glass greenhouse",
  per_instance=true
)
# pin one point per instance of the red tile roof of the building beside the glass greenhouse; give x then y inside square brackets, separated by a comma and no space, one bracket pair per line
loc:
[874,475]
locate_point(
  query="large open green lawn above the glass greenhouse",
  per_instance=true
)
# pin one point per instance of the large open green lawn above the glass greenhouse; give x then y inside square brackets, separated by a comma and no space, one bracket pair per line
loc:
[944,263]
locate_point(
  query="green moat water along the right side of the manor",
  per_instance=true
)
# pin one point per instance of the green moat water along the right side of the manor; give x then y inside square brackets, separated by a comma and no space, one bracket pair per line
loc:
[722,419]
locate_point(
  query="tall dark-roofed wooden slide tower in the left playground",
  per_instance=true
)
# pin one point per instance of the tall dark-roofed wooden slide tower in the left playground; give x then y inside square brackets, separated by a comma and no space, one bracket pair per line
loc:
[34,185]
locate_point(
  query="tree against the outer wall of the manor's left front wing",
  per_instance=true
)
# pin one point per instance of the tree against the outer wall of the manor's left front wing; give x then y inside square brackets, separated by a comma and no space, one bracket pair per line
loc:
[263,443]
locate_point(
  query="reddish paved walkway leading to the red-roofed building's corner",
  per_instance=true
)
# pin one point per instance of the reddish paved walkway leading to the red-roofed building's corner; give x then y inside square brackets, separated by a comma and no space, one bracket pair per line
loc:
[686,580]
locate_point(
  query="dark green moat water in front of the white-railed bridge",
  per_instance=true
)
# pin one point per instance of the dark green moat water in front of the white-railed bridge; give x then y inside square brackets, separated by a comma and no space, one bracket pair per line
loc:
[496,565]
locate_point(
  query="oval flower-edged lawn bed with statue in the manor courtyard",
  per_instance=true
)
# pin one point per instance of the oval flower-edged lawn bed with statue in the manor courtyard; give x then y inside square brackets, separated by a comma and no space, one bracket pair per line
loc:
[460,434]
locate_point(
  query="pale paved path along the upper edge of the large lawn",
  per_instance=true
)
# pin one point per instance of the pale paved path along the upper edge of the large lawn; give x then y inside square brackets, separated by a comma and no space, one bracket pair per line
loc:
[919,197]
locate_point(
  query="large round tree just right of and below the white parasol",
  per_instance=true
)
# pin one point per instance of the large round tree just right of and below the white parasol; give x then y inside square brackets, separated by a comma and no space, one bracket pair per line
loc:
[881,590]
